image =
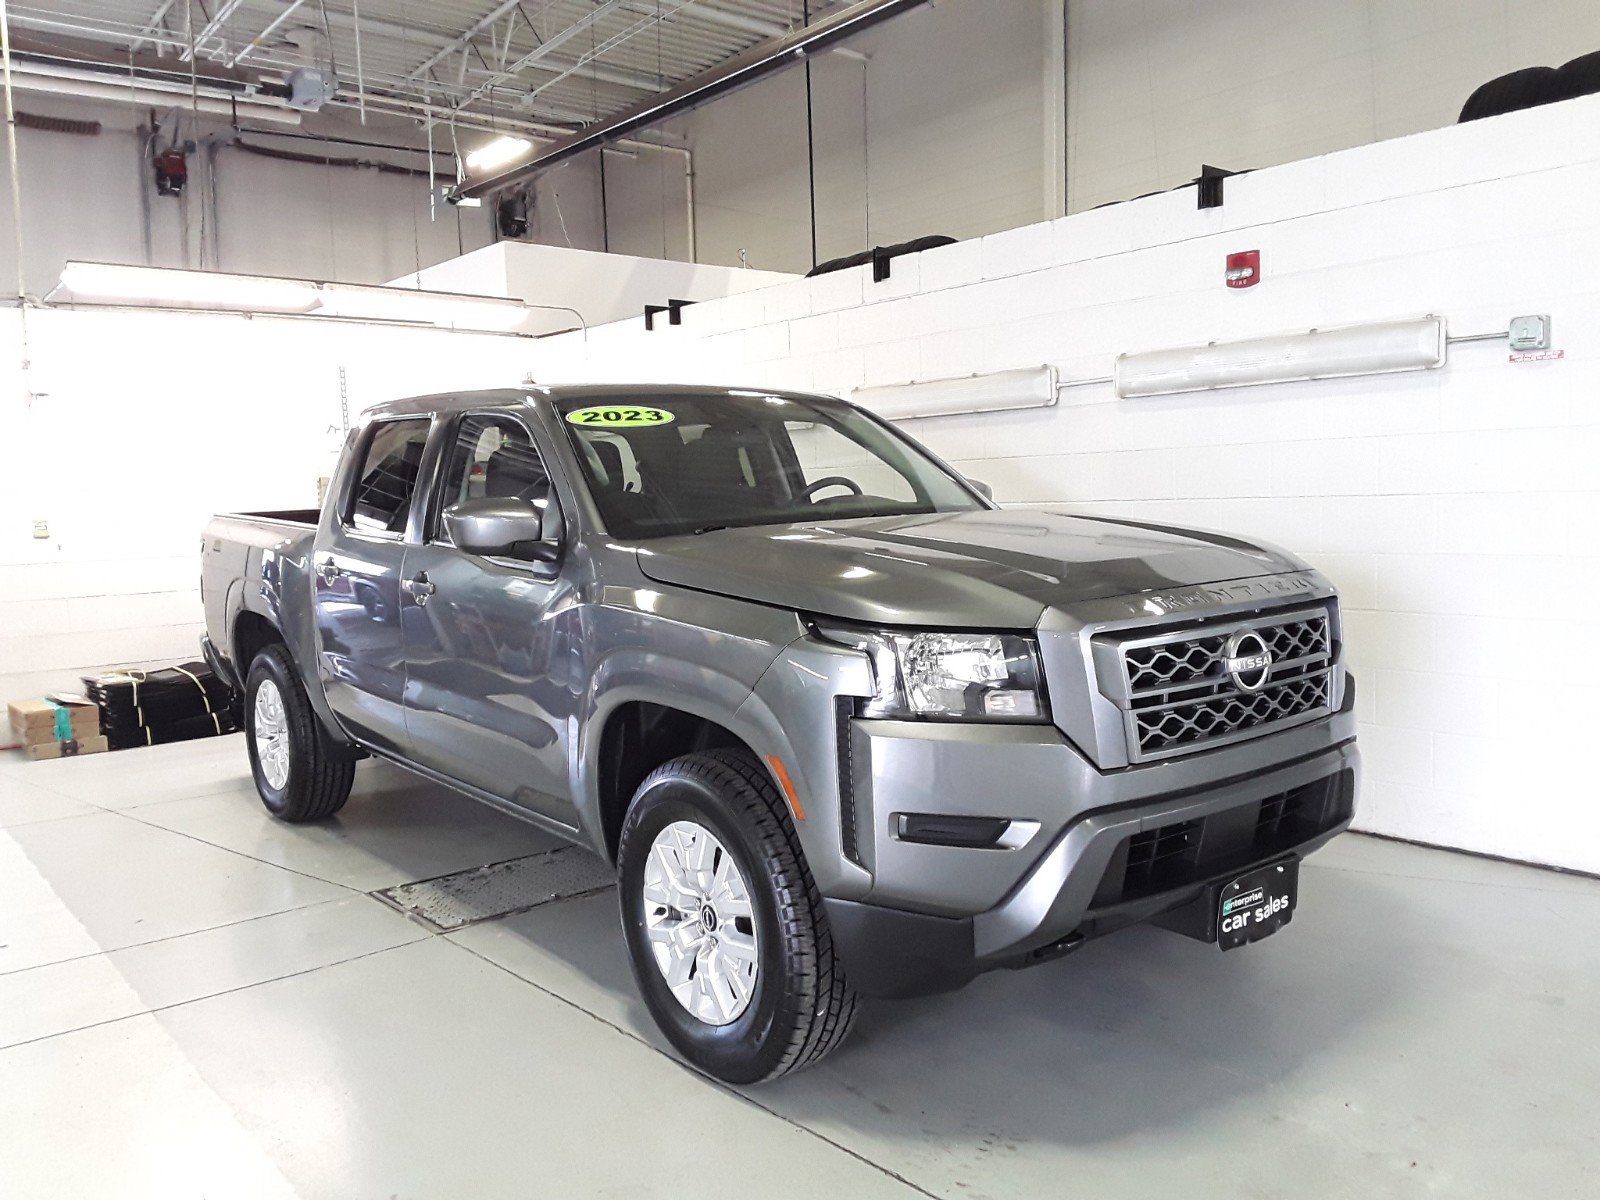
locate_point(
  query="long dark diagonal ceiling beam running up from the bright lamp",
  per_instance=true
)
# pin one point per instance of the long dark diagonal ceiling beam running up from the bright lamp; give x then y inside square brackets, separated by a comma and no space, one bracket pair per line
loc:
[762,60]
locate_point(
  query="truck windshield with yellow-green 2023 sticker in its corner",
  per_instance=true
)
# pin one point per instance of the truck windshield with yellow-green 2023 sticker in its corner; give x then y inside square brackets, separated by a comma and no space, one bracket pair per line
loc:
[695,463]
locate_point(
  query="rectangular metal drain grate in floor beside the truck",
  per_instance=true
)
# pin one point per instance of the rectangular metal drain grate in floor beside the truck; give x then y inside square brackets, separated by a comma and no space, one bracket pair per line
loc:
[479,895]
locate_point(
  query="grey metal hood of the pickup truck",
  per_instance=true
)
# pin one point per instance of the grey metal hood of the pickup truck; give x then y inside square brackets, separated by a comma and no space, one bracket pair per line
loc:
[996,569]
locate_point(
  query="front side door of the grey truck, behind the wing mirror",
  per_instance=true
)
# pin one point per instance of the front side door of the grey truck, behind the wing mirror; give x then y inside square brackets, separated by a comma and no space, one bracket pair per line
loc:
[489,641]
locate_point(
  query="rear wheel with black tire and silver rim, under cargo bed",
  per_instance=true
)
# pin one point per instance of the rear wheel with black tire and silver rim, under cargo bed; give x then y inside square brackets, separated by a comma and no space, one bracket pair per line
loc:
[298,772]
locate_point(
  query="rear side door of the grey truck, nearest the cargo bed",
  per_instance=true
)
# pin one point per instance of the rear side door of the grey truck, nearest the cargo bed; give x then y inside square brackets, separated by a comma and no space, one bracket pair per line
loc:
[358,572]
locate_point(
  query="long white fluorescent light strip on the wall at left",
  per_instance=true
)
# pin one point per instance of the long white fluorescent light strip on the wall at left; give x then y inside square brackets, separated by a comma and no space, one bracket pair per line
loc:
[217,292]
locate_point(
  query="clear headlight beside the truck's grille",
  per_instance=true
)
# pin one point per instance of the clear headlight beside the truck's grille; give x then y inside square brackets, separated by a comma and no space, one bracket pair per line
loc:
[953,676]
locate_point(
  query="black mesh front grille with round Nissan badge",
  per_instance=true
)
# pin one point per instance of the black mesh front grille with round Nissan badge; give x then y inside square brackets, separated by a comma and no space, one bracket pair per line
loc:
[1191,689]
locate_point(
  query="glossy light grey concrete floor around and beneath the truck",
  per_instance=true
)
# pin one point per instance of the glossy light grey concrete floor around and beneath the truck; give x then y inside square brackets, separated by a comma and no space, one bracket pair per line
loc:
[201,1002]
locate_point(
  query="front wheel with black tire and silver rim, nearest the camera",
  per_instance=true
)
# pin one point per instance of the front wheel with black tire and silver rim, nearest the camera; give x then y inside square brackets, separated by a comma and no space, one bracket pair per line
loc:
[724,924]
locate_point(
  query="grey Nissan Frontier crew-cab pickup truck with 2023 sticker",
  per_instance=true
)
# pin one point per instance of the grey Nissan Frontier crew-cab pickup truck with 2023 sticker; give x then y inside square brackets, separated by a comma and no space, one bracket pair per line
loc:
[842,724]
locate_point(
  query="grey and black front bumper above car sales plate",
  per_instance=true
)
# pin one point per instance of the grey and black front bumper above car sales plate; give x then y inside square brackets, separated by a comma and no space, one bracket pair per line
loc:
[1110,850]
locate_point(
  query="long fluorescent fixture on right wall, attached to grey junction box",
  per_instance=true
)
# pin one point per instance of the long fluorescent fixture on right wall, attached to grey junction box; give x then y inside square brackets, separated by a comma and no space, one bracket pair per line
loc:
[1318,354]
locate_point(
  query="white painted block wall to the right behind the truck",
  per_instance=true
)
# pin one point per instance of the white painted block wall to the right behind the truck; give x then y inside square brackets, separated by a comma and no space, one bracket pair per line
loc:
[1457,510]
